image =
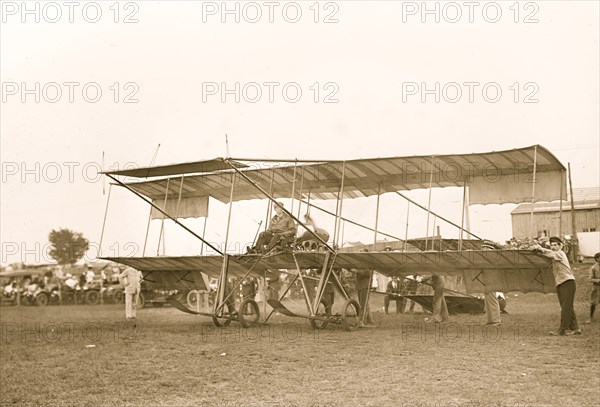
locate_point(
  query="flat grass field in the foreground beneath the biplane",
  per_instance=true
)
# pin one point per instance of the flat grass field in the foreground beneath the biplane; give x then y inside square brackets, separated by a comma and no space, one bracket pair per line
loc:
[89,356]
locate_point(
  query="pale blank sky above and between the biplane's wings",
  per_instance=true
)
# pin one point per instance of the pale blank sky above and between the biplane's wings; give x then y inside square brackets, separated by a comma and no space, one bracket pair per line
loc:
[101,85]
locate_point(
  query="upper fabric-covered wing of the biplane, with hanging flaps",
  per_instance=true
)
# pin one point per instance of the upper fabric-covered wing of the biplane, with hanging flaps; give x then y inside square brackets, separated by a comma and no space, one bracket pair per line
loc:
[493,177]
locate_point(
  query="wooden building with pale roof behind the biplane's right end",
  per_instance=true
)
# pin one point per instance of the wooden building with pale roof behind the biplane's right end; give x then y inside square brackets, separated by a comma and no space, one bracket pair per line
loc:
[547,217]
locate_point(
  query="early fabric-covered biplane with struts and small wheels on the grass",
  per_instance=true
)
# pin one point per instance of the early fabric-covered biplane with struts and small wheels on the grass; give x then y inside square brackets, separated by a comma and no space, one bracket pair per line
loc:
[182,190]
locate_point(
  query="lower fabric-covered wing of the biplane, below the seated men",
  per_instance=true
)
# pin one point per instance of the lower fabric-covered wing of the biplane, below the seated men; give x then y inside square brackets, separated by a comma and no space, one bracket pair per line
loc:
[513,270]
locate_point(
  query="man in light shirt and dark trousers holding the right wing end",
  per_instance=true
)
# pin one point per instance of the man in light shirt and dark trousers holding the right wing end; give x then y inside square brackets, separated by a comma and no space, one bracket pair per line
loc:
[565,286]
